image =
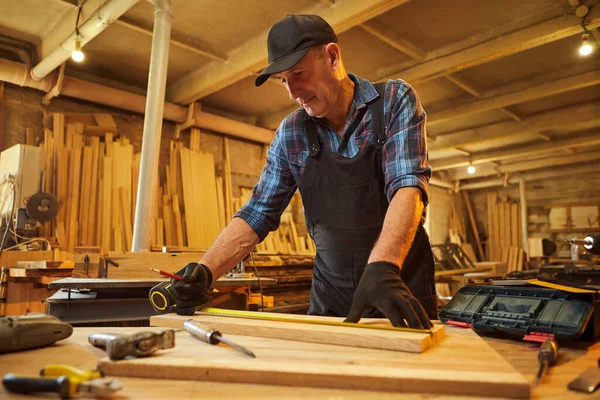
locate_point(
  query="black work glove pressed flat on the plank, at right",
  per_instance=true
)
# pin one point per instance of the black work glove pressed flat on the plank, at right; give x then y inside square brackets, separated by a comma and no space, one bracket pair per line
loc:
[382,287]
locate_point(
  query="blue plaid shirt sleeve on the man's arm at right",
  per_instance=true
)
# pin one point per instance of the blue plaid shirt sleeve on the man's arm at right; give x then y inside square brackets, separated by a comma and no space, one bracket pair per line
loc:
[405,159]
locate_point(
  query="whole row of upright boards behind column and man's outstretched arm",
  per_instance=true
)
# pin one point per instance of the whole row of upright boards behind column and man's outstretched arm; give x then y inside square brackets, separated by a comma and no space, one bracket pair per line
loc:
[95,179]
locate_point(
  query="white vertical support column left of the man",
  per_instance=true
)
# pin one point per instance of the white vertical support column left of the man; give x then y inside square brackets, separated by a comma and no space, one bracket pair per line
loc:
[155,101]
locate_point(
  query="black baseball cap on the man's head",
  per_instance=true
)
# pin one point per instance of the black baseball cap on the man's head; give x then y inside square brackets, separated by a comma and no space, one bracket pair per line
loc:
[291,38]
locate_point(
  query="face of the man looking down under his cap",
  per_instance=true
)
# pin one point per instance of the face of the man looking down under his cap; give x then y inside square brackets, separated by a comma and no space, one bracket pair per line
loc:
[310,83]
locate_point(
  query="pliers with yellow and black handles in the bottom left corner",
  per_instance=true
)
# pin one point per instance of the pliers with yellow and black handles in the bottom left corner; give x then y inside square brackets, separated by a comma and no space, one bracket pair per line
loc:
[65,380]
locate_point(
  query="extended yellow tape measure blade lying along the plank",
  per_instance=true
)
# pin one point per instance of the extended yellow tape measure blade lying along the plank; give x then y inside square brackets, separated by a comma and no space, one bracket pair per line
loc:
[287,318]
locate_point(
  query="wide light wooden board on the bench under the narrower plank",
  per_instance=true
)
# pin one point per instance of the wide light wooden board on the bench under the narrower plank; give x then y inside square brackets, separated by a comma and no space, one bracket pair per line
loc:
[479,371]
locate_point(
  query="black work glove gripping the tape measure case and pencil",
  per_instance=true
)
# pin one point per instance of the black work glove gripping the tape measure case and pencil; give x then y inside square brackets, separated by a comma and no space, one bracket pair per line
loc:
[191,291]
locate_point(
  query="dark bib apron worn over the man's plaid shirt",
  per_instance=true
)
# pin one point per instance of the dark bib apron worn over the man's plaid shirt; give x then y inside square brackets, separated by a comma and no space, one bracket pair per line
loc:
[345,205]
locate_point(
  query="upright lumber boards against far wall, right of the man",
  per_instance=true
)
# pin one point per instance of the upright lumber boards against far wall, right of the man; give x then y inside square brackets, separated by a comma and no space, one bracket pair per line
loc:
[504,232]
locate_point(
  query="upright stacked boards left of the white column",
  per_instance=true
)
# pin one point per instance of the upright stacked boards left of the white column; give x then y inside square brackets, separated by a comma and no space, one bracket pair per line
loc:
[95,182]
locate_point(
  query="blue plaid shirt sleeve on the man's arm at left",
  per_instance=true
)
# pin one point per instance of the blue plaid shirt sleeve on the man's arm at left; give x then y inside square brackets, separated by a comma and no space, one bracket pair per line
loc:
[274,190]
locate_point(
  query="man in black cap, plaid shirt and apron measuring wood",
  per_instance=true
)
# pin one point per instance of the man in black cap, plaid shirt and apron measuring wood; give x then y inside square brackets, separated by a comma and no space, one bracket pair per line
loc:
[358,154]
